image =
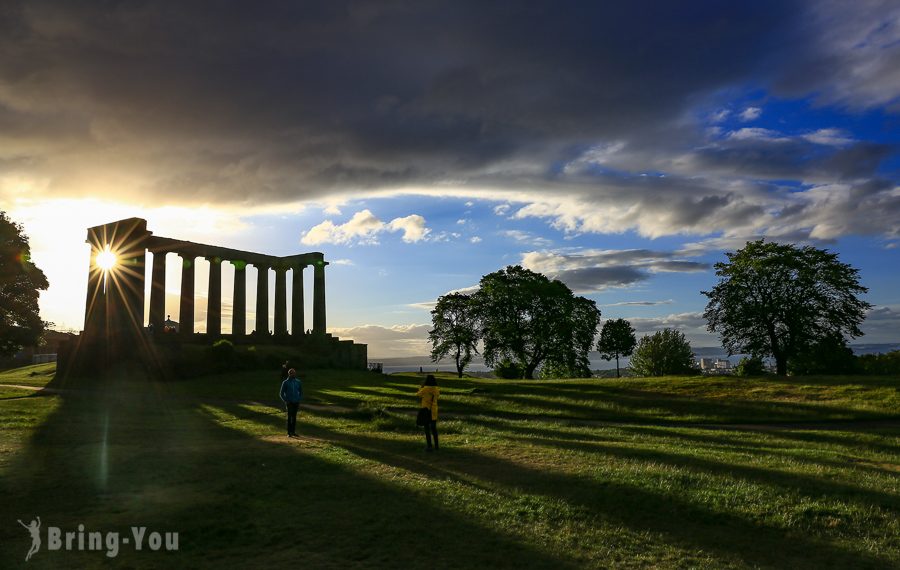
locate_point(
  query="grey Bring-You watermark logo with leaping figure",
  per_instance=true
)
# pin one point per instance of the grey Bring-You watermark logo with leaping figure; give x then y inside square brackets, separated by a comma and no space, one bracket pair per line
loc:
[108,542]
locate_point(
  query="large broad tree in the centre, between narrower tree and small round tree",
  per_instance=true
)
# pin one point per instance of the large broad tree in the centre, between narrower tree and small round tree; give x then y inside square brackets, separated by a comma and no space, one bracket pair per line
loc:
[531,320]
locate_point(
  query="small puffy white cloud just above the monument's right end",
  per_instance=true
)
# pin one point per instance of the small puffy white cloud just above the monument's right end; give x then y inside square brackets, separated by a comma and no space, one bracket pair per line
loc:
[363,228]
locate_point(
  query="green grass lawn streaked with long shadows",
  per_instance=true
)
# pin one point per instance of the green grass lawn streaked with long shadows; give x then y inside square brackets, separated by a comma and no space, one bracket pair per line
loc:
[633,473]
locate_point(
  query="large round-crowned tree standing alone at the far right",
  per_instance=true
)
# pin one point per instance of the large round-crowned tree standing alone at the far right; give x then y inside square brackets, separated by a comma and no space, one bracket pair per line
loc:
[781,300]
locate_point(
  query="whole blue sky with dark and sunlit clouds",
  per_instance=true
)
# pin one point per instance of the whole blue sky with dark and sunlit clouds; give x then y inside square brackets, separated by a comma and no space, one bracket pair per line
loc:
[622,148]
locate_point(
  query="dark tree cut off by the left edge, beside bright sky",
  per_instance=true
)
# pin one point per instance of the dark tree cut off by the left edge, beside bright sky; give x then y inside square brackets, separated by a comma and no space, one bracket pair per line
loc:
[20,284]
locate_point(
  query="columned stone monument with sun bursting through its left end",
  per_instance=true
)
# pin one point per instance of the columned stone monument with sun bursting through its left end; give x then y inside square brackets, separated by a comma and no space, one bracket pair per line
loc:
[114,328]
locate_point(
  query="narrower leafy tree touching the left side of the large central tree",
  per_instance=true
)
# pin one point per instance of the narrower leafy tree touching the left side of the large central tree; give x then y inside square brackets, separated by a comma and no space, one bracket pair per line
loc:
[456,330]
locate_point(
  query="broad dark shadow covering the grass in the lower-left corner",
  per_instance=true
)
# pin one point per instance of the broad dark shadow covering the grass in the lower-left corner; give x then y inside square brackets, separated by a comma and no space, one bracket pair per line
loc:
[141,459]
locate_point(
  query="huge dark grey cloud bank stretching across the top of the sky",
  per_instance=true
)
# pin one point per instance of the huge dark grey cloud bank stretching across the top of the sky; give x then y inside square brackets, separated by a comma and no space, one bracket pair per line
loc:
[262,103]
